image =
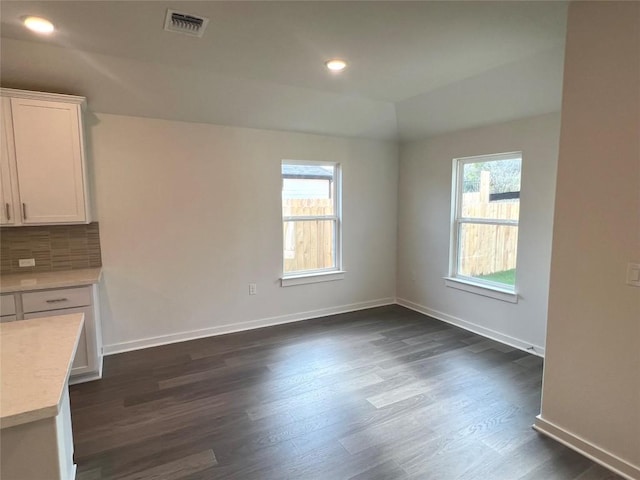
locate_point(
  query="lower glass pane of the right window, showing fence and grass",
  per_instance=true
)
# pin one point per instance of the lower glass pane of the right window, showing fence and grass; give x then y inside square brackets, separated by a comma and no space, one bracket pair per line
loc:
[488,252]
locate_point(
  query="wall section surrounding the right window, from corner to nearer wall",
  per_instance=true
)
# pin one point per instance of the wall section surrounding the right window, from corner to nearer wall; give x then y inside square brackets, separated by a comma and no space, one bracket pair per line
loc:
[424,229]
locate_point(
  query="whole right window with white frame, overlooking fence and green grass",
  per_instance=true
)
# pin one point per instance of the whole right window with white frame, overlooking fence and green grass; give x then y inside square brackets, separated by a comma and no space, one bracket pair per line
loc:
[486,208]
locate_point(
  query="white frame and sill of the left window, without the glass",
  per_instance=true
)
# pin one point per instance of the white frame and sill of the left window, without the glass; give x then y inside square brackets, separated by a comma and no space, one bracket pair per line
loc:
[335,272]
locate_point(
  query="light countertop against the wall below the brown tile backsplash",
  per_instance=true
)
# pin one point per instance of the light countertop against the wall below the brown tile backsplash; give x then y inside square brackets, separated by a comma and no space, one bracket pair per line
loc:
[22,282]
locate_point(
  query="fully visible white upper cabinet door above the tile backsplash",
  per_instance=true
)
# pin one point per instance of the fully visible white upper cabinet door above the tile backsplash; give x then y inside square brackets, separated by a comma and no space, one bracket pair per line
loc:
[49,159]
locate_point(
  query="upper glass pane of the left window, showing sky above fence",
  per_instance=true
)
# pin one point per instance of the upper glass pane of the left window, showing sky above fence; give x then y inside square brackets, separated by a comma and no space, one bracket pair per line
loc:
[308,190]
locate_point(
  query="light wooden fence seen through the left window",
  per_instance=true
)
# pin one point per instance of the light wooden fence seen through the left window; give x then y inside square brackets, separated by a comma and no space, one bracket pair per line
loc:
[308,245]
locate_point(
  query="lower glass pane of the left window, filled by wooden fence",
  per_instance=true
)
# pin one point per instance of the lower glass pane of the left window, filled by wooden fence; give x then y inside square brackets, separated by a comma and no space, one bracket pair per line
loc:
[308,245]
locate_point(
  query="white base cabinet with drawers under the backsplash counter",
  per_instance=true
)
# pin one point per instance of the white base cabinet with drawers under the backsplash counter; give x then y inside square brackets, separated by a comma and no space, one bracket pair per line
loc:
[87,364]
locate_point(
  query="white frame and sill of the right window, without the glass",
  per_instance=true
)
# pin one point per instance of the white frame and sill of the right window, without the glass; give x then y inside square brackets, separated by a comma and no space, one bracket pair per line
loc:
[488,288]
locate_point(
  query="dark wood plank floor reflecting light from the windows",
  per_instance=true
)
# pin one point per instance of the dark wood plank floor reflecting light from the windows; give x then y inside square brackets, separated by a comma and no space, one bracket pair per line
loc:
[384,393]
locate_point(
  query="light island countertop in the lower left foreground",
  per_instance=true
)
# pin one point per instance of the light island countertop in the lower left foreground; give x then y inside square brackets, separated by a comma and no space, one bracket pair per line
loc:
[36,357]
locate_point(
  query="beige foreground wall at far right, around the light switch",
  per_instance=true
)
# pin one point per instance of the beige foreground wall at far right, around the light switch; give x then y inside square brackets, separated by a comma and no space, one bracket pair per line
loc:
[591,391]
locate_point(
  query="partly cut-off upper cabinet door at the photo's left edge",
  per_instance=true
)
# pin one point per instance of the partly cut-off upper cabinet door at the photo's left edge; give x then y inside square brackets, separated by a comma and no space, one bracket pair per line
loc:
[8,192]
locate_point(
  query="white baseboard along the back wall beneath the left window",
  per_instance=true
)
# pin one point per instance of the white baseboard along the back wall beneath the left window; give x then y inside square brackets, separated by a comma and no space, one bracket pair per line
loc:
[238,327]
